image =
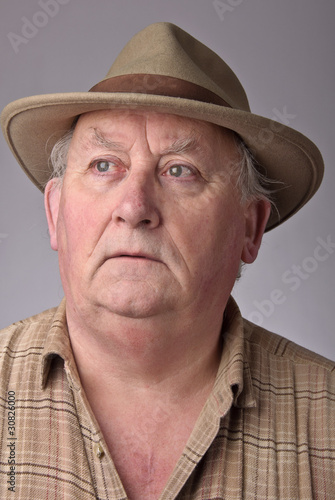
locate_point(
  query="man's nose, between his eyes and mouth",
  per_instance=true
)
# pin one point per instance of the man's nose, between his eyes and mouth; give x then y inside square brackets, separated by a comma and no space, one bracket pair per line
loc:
[136,202]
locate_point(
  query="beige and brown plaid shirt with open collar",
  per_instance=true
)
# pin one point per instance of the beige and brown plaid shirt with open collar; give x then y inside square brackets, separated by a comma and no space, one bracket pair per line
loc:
[266,432]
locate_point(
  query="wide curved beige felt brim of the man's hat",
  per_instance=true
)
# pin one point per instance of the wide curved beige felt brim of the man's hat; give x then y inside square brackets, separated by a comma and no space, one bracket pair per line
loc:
[33,125]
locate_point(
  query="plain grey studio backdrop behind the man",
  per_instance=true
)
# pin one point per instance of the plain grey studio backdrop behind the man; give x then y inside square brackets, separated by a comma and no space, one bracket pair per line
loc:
[282,51]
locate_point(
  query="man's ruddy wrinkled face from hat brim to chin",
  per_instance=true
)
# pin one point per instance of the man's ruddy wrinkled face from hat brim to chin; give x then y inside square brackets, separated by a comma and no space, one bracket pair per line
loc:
[148,220]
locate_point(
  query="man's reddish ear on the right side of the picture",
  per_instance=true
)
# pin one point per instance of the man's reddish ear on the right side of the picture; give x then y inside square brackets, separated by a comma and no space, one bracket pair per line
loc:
[257,215]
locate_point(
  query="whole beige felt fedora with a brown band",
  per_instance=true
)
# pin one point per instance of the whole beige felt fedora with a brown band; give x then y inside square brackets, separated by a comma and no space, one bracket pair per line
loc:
[166,69]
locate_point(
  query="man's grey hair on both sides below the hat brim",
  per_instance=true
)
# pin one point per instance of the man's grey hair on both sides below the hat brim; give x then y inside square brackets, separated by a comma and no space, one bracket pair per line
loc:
[250,182]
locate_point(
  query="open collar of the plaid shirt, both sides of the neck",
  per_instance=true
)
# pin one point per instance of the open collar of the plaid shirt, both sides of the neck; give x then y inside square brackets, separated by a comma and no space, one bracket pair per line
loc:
[233,381]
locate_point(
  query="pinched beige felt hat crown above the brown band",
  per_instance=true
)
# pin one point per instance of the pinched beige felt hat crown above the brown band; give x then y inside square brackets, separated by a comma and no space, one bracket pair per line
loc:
[165,49]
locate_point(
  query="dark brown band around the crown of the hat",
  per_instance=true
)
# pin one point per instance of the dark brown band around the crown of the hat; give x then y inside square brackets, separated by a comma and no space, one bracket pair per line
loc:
[158,85]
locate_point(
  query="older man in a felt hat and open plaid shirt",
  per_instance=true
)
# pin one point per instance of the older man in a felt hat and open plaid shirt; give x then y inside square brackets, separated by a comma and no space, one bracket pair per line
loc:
[145,382]
